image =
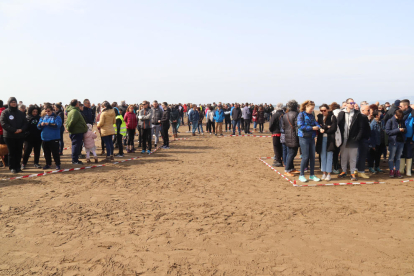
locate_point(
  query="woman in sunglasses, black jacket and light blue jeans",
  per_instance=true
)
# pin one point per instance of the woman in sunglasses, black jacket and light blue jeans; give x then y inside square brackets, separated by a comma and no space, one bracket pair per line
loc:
[325,145]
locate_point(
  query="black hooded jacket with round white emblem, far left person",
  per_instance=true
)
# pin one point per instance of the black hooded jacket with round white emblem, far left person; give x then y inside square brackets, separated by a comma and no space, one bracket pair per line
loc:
[11,120]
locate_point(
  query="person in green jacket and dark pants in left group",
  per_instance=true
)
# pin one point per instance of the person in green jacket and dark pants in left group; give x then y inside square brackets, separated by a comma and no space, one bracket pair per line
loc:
[76,126]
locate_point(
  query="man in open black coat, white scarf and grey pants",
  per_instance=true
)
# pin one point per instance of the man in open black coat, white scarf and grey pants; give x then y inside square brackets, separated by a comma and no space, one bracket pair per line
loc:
[350,126]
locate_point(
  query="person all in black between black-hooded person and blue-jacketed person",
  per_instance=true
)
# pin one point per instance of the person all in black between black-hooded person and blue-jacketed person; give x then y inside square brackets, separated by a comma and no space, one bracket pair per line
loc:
[32,140]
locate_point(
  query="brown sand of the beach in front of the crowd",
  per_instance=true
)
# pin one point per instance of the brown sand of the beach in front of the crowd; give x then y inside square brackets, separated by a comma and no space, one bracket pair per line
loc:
[207,206]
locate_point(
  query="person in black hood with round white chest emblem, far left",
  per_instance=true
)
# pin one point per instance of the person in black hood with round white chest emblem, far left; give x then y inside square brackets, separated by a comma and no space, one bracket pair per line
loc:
[14,125]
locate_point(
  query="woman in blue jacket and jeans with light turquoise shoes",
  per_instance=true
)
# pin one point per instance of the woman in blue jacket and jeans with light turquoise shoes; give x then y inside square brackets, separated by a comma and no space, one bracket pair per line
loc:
[307,127]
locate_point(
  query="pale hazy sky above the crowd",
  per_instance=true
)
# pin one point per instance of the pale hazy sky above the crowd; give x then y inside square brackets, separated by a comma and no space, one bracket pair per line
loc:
[205,51]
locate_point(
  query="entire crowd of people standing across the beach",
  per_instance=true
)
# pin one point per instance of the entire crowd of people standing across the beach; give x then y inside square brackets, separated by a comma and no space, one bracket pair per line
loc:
[342,135]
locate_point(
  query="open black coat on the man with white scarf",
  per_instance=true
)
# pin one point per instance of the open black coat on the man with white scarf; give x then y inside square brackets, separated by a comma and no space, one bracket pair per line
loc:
[355,130]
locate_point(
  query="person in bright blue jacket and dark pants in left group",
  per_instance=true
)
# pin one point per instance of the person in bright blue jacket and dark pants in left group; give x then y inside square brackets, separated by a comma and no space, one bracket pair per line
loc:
[50,125]
